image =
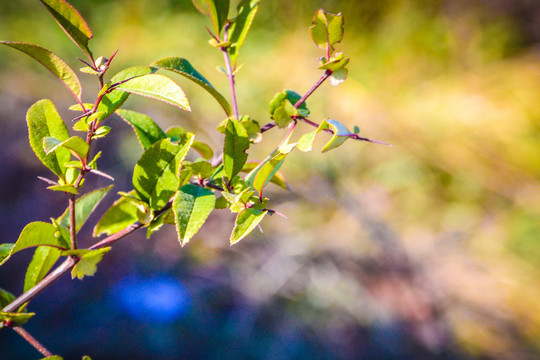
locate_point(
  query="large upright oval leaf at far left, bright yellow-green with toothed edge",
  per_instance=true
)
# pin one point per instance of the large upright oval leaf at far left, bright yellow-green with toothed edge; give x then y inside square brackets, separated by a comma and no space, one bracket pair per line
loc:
[44,121]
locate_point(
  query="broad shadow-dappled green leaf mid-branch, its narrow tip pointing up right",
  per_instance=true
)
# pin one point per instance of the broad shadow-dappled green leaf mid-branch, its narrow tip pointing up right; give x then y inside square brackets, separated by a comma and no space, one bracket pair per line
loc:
[155,178]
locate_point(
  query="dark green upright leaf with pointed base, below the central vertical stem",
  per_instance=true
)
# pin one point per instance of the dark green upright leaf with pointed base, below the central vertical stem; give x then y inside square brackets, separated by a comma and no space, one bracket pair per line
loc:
[236,144]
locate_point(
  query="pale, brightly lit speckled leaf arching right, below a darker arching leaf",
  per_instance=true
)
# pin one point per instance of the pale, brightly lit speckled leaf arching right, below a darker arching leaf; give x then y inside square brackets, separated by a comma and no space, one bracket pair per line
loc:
[157,87]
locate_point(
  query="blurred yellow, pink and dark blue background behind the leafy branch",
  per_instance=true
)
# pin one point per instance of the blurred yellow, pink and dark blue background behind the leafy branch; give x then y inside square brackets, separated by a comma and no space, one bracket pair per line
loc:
[425,250]
